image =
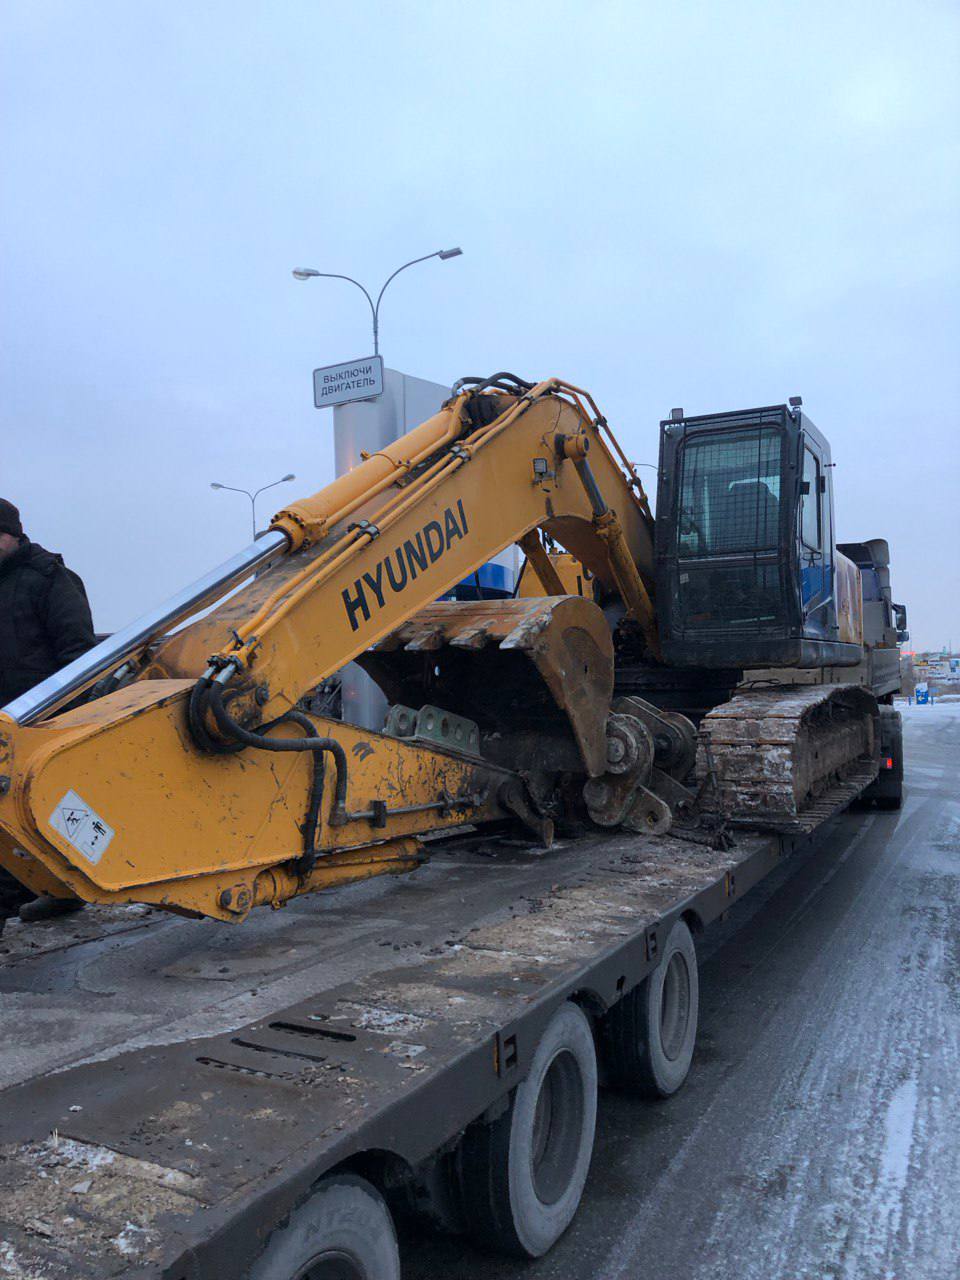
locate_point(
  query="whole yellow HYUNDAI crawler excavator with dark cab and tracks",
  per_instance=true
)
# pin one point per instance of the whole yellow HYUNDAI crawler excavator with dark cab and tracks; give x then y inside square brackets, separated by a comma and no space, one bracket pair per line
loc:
[691,673]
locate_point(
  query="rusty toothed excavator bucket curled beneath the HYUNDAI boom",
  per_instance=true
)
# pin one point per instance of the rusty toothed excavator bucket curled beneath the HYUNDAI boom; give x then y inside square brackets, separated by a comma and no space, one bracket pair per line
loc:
[536,675]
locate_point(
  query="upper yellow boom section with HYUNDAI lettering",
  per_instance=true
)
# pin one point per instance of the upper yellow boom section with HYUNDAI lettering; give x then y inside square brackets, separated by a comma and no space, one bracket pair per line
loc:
[418,518]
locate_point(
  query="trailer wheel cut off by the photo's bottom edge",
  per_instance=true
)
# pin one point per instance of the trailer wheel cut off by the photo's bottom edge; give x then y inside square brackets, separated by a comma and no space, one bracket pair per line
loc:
[344,1232]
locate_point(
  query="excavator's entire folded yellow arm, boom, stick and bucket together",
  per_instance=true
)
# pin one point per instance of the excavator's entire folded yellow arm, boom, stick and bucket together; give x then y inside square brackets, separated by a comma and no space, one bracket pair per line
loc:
[196,783]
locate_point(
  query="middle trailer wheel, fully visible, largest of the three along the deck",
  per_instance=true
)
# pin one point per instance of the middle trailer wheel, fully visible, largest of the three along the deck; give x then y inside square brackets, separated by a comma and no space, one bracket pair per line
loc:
[522,1177]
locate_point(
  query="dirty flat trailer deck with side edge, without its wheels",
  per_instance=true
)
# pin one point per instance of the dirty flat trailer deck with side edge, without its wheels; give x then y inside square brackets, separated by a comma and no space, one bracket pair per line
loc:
[172,1089]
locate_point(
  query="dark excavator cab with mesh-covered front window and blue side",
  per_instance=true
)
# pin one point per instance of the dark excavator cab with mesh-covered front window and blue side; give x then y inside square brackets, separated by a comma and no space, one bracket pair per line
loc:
[748,570]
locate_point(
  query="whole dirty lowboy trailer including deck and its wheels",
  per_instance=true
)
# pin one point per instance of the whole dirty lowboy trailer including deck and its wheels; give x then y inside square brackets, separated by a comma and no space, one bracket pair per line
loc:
[380,1052]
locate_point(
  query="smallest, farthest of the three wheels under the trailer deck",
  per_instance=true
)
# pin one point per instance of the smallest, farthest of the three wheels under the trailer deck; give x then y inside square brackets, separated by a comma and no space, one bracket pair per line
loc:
[650,1035]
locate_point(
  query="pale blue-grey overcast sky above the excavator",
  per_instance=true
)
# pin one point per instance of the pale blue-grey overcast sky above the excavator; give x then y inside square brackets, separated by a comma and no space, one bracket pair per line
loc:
[701,205]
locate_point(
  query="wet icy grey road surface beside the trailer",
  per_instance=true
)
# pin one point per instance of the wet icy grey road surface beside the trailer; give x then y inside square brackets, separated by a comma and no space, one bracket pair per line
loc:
[820,1133]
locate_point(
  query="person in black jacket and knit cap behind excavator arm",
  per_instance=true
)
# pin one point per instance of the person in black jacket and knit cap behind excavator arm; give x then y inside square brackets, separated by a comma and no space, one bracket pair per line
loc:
[45,623]
